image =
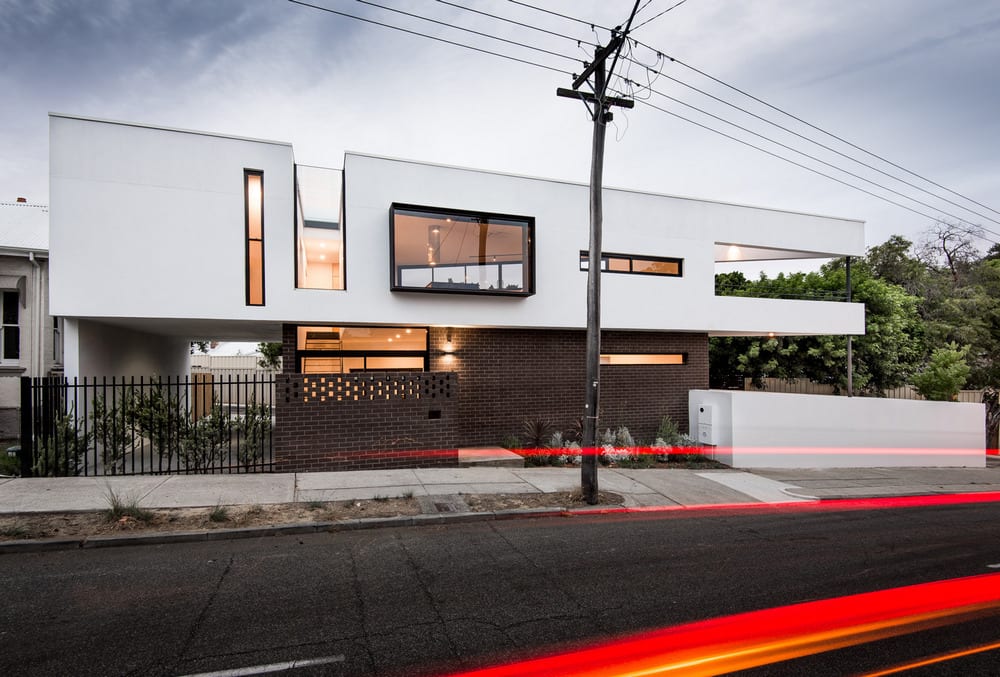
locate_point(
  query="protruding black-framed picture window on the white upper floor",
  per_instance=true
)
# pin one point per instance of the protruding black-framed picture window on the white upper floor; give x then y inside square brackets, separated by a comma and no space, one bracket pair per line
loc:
[458,251]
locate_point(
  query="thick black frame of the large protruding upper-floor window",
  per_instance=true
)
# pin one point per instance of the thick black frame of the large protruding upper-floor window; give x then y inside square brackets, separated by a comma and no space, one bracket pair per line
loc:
[528,268]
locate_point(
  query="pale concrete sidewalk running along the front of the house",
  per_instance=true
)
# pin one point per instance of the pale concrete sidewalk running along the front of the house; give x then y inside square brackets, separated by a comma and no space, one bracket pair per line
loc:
[655,487]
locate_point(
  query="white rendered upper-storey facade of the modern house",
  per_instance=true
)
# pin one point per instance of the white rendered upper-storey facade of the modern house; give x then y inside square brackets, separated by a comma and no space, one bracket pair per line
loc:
[148,242]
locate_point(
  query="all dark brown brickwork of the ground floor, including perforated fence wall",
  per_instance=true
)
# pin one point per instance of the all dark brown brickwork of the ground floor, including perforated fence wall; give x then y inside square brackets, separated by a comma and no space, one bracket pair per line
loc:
[496,380]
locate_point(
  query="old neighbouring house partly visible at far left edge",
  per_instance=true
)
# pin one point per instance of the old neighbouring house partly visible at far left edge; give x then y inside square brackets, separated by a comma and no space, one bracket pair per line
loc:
[30,339]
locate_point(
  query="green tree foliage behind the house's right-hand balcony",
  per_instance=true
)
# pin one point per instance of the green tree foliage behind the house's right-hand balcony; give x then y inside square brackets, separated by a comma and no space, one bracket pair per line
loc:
[917,300]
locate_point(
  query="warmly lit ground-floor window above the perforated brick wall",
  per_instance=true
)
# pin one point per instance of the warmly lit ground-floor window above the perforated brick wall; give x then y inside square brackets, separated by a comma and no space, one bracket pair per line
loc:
[342,350]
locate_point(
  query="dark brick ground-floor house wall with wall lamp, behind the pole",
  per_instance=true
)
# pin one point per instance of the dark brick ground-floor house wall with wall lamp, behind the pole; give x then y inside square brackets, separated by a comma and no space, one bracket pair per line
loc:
[508,376]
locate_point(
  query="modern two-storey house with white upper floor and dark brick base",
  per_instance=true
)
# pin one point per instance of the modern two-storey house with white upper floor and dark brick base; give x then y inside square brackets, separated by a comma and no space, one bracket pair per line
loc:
[420,306]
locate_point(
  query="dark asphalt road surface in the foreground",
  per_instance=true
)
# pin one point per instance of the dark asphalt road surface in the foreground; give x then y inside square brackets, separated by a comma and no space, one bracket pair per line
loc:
[428,600]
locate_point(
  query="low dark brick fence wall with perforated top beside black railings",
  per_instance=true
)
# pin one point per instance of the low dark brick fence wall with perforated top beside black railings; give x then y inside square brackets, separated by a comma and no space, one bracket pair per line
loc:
[365,421]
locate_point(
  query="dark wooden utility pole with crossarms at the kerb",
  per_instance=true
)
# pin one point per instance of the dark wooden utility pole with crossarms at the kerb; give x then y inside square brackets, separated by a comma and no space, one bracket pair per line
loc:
[601,103]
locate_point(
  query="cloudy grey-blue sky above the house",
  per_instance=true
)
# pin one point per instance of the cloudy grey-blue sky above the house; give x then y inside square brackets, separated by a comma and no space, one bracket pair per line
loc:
[915,81]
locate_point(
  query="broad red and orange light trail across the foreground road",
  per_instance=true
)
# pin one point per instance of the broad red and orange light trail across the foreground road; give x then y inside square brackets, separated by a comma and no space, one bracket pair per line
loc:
[757,638]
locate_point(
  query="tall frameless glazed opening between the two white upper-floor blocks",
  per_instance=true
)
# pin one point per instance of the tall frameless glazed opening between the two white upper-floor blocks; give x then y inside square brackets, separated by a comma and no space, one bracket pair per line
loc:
[319,241]
